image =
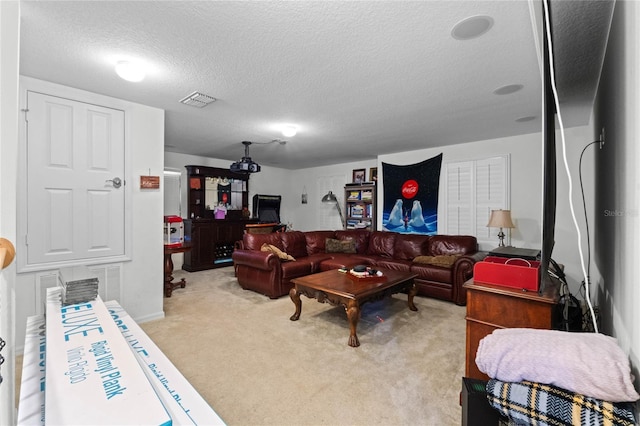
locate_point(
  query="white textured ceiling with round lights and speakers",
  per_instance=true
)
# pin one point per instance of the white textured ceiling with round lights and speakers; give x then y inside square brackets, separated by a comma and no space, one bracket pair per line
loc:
[358,79]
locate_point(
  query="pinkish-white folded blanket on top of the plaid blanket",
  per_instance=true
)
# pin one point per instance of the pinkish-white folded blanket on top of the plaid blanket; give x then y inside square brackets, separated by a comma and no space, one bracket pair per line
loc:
[591,364]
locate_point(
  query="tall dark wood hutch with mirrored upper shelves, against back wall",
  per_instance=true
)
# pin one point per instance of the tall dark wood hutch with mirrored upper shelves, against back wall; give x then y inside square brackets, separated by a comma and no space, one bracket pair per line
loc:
[212,240]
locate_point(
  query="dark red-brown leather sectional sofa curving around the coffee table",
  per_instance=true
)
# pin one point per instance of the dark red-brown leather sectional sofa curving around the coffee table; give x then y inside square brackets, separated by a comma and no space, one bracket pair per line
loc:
[264,272]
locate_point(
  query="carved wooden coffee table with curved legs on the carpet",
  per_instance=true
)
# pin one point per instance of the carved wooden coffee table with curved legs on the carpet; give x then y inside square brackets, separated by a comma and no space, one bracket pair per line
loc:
[339,288]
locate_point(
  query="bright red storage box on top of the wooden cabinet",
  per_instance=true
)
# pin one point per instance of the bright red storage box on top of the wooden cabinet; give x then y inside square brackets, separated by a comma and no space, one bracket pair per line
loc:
[508,272]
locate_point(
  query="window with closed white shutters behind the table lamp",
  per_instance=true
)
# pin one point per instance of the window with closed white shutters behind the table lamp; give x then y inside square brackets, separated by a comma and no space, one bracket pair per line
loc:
[472,189]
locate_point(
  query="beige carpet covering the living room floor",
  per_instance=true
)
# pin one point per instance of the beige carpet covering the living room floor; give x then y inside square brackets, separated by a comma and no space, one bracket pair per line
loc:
[256,367]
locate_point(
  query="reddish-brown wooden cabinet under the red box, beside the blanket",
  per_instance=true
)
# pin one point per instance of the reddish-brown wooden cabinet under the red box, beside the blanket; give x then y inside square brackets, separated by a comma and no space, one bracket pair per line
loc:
[490,307]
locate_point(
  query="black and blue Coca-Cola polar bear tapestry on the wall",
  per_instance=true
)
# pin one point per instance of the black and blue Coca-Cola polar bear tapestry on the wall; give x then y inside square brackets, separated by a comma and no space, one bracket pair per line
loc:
[411,197]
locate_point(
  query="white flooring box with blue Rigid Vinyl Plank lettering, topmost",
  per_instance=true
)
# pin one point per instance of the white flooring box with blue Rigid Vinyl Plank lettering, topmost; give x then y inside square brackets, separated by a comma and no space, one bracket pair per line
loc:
[93,378]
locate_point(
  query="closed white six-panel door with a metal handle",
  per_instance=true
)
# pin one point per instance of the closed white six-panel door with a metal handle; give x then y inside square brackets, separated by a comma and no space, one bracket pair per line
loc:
[75,153]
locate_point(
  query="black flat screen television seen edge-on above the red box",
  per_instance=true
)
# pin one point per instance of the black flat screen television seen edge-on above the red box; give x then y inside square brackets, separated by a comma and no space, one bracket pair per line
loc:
[549,173]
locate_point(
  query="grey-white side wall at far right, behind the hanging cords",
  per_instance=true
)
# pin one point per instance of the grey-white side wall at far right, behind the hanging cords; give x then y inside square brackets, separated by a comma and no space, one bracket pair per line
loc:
[617,204]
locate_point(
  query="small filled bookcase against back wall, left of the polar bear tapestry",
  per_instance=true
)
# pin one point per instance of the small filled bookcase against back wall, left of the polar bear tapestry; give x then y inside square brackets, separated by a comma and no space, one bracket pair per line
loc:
[360,209]
